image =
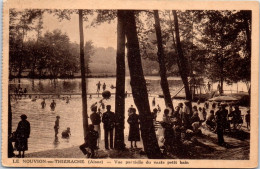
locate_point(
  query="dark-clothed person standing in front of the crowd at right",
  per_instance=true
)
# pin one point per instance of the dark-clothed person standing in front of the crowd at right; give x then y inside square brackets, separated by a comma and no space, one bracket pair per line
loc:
[221,120]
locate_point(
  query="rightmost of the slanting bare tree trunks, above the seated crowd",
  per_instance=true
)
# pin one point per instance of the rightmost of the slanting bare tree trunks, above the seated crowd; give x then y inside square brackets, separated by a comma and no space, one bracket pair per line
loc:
[183,68]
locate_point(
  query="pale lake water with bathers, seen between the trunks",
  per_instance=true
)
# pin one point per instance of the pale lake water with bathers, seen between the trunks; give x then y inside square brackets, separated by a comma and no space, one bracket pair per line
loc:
[42,120]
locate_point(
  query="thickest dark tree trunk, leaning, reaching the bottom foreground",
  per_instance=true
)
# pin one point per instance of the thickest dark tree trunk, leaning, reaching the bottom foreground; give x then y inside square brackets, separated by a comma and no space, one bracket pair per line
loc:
[139,89]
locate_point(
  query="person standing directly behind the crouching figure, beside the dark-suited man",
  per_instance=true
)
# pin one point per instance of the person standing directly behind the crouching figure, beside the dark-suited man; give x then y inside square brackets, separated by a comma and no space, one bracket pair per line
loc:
[96,120]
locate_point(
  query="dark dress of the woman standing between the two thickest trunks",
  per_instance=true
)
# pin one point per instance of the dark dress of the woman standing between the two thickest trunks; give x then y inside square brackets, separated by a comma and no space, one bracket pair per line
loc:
[134,133]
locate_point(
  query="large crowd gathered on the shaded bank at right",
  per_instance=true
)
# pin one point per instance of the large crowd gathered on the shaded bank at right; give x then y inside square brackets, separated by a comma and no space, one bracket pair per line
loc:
[186,122]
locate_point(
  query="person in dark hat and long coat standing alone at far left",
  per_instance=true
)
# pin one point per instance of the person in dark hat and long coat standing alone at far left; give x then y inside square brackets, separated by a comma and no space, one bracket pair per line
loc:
[22,135]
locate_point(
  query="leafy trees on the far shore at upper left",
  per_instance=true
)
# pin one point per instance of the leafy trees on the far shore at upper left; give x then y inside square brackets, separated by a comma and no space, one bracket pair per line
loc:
[50,55]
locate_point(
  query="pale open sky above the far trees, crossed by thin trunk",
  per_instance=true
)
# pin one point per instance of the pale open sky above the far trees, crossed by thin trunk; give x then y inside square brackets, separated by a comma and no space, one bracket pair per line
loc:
[103,35]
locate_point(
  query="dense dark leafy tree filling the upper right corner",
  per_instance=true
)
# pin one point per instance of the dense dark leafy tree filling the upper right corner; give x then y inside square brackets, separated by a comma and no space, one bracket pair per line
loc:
[227,40]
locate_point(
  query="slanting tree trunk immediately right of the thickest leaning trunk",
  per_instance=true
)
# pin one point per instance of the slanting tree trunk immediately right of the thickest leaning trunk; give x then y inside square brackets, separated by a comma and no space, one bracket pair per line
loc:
[161,56]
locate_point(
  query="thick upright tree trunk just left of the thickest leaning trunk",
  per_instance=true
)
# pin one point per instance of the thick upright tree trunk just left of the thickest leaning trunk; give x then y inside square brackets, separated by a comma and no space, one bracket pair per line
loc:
[120,82]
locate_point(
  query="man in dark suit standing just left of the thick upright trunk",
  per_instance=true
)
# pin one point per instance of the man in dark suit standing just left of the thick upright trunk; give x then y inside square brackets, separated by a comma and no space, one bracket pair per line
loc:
[108,119]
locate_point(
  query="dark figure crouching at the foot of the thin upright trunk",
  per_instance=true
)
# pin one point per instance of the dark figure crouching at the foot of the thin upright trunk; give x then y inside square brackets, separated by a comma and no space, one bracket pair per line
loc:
[90,142]
